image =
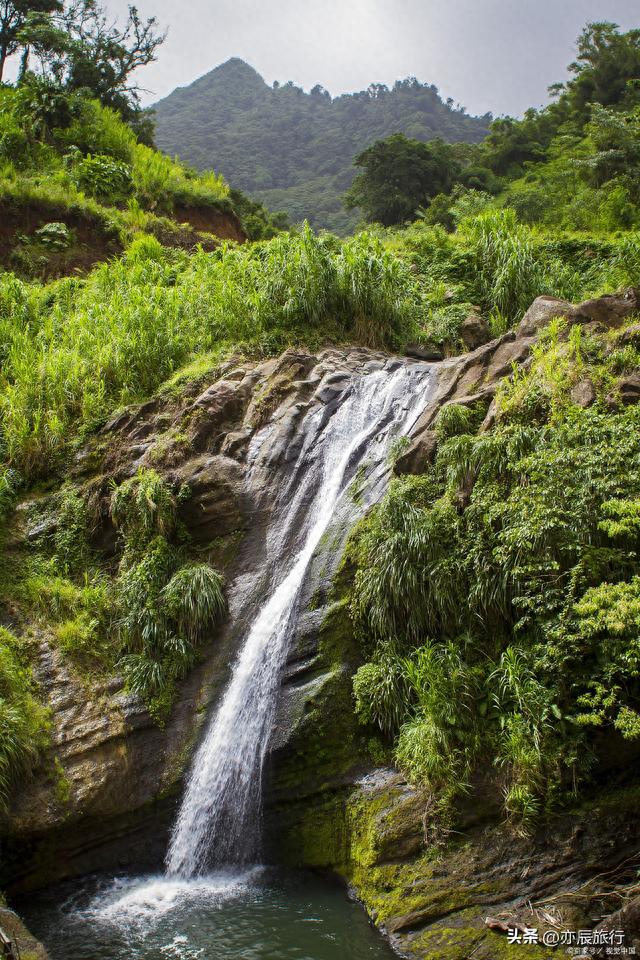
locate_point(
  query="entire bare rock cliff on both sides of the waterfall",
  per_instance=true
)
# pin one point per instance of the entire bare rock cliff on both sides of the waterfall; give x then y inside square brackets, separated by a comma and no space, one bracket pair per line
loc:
[106,793]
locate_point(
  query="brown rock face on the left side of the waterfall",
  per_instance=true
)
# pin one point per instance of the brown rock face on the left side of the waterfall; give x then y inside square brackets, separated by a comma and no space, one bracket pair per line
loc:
[105,794]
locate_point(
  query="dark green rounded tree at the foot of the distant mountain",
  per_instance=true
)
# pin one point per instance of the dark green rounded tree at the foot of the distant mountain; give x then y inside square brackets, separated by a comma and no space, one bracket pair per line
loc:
[399,175]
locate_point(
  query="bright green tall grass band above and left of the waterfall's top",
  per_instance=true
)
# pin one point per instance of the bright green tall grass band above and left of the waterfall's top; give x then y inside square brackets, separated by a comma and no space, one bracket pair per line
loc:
[75,350]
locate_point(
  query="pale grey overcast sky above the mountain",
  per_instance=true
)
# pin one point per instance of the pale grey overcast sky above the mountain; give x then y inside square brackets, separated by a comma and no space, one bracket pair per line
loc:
[497,55]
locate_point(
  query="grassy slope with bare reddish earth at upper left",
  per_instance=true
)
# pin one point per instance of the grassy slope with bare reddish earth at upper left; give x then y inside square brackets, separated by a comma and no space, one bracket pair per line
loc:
[75,186]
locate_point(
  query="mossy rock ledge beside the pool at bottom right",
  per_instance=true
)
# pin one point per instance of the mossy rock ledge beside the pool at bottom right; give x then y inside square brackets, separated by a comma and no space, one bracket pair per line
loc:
[434,901]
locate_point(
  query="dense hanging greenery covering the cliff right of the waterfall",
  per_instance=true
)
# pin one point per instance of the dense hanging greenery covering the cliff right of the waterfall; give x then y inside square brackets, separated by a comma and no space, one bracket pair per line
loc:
[497,595]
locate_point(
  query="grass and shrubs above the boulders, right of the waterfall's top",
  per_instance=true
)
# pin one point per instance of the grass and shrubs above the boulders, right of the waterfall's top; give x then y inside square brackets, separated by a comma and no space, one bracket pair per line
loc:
[499,265]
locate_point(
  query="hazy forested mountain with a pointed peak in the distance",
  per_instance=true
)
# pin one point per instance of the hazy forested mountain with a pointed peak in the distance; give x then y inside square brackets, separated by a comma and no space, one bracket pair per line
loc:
[294,150]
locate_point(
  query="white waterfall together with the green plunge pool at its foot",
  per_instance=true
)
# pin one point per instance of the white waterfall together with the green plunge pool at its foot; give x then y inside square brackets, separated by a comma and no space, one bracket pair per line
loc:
[310,454]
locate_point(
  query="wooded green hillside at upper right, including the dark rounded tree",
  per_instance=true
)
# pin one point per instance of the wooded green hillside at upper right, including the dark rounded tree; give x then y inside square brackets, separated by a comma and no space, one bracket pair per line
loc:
[573,165]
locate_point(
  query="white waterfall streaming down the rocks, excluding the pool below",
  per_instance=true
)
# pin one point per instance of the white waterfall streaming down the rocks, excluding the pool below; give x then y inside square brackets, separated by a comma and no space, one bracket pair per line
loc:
[219,819]
